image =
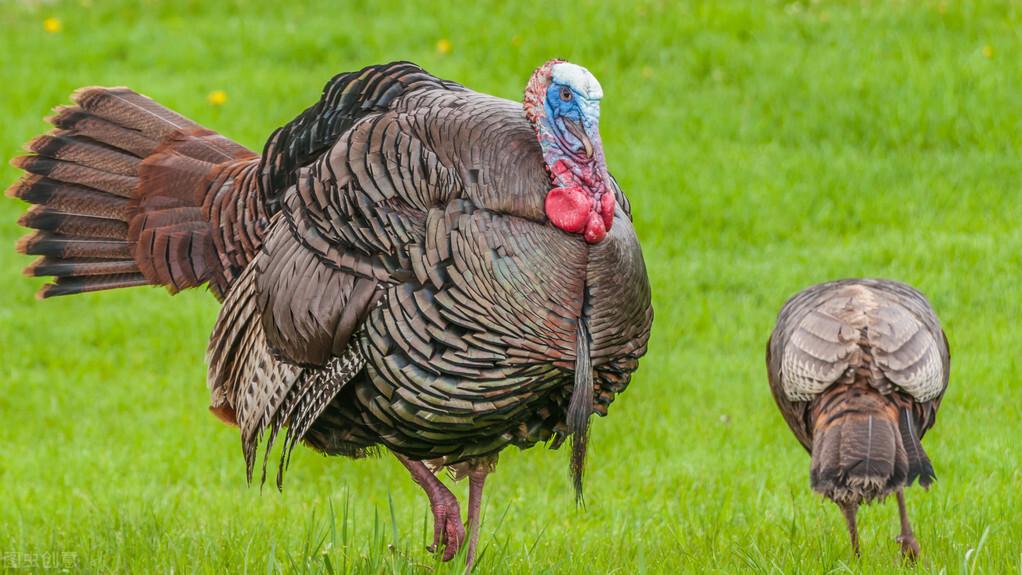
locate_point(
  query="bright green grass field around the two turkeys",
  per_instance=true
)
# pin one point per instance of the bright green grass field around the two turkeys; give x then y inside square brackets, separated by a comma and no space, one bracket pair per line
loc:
[765,147]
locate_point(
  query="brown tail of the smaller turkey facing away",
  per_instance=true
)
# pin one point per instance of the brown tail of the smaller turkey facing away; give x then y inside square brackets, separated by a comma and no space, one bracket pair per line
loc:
[859,454]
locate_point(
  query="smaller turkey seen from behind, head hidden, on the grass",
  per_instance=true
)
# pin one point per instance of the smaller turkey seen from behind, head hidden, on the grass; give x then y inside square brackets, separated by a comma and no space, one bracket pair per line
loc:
[859,368]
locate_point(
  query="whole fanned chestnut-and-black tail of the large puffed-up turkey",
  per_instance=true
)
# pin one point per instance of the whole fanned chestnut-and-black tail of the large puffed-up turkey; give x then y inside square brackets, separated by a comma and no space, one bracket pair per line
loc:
[124,190]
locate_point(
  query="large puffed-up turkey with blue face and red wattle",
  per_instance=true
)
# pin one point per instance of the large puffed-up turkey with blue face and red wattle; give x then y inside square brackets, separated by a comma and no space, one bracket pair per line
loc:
[409,264]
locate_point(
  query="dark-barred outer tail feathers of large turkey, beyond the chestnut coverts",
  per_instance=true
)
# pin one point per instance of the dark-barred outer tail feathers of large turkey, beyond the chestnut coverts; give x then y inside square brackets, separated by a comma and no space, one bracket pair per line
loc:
[82,179]
